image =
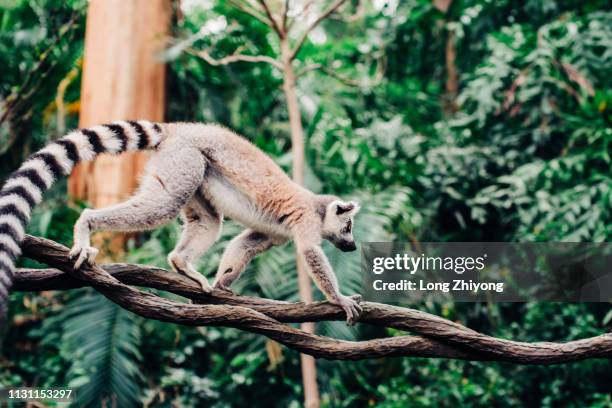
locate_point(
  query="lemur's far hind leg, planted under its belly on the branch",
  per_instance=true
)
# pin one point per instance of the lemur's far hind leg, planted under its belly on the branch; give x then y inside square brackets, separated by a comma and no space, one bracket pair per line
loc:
[202,225]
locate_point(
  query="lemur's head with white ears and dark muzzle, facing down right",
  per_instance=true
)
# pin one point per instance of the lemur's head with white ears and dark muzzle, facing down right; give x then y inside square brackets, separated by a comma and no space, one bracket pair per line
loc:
[337,225]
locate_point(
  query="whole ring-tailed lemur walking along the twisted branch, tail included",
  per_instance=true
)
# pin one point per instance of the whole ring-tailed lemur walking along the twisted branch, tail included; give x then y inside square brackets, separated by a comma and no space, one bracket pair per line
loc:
[202,171]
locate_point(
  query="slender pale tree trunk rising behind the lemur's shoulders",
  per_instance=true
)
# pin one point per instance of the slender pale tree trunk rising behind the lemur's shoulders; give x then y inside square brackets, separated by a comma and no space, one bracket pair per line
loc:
[309,369]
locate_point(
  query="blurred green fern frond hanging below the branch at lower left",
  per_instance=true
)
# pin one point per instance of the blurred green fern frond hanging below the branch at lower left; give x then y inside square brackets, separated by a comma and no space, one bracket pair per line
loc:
[101,340]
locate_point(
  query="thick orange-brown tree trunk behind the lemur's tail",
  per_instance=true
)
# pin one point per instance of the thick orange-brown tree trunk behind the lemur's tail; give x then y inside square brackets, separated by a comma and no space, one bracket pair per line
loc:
[122,79]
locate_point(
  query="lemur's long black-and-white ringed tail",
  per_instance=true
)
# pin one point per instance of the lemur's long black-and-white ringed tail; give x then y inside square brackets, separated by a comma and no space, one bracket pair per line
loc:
[25,187]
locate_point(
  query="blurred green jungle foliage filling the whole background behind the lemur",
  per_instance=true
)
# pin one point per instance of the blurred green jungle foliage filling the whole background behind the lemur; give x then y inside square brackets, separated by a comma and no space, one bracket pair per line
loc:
[490,121]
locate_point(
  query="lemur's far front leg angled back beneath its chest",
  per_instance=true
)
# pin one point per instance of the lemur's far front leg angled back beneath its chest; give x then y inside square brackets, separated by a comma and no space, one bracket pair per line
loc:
[239,253]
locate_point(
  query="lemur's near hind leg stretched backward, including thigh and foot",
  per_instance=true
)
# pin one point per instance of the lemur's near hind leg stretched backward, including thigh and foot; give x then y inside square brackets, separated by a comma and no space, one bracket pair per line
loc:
[171,178]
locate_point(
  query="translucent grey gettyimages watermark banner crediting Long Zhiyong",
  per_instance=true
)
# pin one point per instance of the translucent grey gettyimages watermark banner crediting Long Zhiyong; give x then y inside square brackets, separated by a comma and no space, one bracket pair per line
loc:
[487,271]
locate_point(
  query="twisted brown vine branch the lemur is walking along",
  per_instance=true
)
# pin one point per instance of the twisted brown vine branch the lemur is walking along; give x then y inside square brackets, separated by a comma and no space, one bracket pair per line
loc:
[437,337]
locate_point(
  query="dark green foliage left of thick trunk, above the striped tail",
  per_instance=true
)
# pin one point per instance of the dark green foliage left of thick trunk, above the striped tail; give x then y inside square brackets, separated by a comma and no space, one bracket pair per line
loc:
[40,42]
